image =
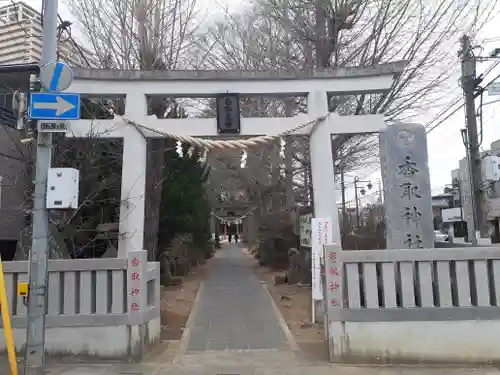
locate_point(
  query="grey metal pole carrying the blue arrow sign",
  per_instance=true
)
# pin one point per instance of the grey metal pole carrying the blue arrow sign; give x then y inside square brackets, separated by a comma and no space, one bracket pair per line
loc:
[35,335]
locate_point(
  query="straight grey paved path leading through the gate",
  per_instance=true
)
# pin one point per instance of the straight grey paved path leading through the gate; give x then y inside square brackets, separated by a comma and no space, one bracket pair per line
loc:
[234,311]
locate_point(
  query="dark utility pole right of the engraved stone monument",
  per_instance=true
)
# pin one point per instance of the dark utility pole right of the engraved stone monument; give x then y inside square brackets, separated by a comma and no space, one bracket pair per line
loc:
[469,83]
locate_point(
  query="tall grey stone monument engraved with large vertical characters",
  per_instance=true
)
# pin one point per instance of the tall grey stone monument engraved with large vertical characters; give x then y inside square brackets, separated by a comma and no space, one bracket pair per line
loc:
[407,188]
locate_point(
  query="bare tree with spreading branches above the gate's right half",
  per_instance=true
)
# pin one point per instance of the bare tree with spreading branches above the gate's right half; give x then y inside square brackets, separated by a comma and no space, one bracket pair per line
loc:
[302,34]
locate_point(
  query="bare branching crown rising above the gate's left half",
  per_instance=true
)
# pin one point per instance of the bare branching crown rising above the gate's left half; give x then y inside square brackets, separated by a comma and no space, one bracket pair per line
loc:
[132,34]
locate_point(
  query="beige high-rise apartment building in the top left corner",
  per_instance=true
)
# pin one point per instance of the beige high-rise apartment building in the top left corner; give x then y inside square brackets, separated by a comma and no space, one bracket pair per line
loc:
[21,38]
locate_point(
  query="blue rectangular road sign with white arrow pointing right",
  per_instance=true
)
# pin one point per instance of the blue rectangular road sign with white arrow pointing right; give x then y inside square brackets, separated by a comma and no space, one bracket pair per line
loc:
[54,106]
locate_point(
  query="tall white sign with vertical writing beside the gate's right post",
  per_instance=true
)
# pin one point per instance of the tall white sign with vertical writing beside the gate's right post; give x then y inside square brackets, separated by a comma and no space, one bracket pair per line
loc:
[322,234]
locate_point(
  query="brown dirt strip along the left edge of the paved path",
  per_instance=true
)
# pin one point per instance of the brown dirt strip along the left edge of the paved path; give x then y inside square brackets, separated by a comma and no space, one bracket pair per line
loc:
[177,302]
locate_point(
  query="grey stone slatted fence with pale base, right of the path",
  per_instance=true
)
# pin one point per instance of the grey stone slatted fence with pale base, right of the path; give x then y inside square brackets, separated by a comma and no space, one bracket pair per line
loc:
[416,305]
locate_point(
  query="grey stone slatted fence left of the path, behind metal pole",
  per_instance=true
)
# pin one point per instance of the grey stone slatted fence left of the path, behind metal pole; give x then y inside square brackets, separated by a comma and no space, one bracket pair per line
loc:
[86,292]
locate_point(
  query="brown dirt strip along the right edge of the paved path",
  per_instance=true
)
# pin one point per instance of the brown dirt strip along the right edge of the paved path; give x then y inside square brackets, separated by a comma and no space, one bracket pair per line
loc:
[294,303]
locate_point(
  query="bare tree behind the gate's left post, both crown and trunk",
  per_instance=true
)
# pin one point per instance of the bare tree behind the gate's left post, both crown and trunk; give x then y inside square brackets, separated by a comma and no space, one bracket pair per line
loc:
[148,35]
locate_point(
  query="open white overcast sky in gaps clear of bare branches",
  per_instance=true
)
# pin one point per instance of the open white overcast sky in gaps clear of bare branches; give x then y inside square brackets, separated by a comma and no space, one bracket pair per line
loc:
[444,143]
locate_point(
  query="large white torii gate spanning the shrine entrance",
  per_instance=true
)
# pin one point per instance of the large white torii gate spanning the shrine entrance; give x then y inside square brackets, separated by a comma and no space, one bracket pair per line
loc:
[137,86]
